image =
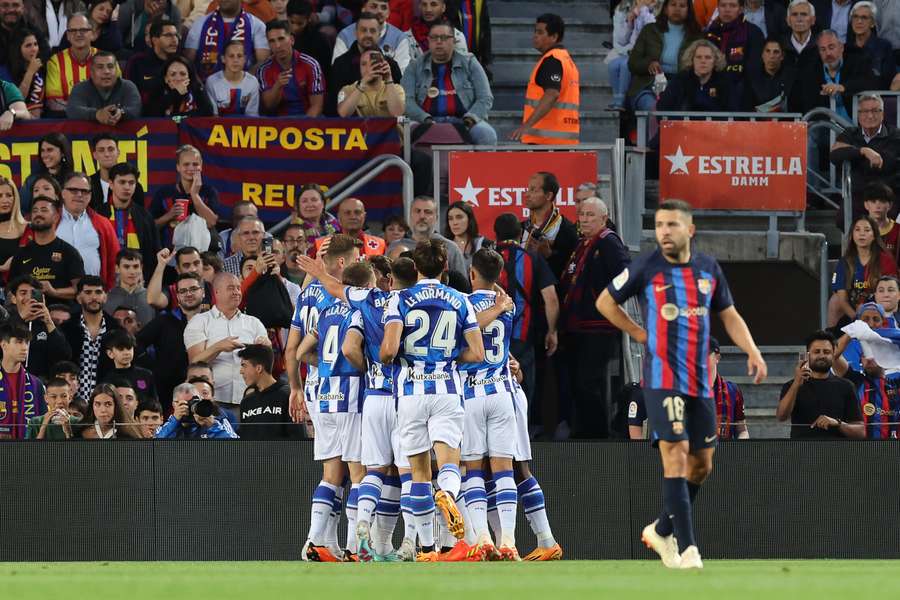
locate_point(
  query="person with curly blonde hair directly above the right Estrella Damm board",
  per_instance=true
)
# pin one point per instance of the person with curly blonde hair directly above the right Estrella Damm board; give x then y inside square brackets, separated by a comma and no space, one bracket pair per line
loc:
[702,85]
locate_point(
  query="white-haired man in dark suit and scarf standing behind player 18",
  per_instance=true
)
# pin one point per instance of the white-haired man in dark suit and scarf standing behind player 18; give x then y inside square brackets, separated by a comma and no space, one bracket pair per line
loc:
[590,341]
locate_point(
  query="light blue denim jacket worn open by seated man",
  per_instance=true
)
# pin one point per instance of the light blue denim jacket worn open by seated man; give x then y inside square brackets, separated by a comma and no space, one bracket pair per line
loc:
[469,79]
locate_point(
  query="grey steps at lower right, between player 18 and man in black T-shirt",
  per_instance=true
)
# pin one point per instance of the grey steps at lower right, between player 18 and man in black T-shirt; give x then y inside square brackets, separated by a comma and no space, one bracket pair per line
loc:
[761,400]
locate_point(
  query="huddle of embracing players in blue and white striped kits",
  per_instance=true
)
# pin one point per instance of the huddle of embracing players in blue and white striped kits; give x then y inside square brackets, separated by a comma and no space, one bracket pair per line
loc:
[414,396]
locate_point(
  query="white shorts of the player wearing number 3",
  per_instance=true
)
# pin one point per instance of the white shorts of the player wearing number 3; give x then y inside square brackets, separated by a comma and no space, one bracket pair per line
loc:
[490,427]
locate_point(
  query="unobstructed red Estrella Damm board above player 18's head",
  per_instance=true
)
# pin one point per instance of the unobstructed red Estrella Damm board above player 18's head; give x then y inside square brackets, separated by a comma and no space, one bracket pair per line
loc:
[719,165]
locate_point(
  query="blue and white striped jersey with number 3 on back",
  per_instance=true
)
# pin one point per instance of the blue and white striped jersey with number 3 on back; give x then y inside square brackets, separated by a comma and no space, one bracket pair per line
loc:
[491,376]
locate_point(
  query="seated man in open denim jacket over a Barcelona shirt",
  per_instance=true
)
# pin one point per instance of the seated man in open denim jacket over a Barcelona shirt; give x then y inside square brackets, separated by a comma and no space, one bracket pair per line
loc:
[445,86]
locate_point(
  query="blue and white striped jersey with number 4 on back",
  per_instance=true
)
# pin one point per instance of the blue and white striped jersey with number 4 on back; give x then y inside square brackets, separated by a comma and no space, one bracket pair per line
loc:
[340,383]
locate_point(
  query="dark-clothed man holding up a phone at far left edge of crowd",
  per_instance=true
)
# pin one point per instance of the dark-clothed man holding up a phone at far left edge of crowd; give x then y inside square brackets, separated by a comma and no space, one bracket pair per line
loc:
[29,311]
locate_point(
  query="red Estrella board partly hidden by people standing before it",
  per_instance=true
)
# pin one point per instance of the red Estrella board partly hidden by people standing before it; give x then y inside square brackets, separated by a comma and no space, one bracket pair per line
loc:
[496,182]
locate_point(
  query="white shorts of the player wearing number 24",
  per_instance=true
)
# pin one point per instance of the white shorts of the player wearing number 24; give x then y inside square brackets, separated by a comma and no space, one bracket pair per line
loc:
[424,420]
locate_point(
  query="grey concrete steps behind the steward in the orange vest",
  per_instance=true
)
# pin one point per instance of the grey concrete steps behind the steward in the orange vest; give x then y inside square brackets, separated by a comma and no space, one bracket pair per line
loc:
[587,26]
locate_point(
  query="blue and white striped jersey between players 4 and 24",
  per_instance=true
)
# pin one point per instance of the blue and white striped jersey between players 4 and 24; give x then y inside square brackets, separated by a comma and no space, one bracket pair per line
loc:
[370,305]
